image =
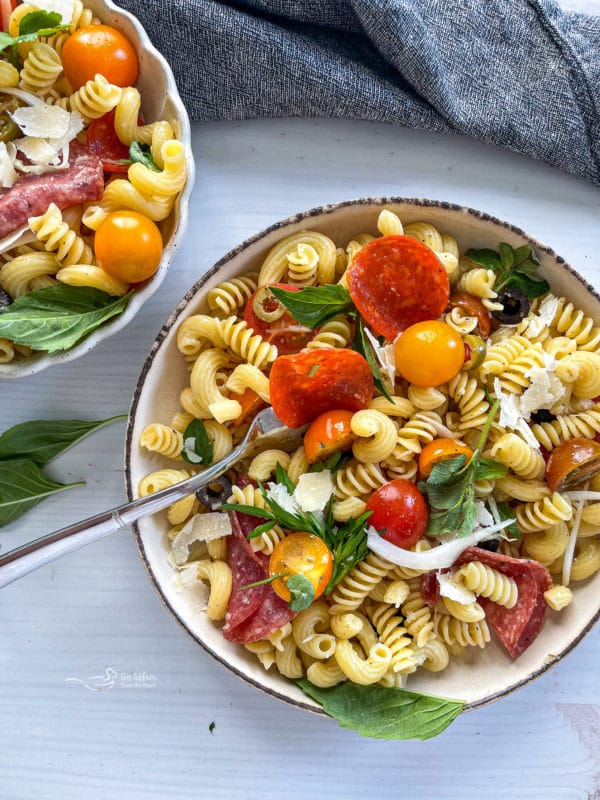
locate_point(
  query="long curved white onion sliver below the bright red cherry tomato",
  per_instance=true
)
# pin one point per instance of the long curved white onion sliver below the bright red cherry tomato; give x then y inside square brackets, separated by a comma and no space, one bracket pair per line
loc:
[444,555]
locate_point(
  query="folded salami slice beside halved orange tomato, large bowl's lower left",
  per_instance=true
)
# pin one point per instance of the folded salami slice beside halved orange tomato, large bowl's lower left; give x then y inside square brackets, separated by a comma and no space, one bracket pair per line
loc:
[255,613]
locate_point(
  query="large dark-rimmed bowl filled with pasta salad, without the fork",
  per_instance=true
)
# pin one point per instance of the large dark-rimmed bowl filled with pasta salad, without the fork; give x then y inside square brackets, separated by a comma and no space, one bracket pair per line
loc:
[432,540]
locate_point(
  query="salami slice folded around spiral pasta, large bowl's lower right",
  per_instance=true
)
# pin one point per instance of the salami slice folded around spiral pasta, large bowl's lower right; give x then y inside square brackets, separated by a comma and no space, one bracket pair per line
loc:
[516,627]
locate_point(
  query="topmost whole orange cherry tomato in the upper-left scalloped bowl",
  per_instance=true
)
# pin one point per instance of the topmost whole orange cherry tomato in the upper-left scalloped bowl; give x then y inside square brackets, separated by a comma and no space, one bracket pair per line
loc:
[99,49]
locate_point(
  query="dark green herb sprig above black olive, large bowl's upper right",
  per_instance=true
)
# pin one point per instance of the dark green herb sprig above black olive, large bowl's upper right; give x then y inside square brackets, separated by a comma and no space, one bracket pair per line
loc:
[514,268]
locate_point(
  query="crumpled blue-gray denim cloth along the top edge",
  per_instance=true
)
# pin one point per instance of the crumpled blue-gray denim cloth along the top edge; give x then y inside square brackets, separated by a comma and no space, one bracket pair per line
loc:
[522,74]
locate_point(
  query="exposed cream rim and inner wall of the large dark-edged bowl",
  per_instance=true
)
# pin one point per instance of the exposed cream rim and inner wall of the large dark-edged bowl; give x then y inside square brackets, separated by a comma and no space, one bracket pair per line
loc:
[479,677]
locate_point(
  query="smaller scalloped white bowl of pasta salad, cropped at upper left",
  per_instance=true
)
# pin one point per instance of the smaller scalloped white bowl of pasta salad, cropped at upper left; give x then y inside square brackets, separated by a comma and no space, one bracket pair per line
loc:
[96,170]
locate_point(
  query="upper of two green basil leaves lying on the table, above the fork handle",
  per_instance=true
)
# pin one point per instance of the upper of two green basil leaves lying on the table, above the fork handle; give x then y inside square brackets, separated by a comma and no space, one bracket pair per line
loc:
[41,440]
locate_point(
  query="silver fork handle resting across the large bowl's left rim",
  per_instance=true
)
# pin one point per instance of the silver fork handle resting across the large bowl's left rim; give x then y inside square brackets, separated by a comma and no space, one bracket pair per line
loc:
[23,560]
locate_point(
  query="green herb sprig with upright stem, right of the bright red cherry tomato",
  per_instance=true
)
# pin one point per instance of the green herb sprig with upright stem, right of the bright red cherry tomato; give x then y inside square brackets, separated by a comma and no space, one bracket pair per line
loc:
[450,486]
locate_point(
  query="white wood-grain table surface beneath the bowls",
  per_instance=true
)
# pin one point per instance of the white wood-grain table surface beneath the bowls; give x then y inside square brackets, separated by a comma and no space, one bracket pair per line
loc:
[95,617]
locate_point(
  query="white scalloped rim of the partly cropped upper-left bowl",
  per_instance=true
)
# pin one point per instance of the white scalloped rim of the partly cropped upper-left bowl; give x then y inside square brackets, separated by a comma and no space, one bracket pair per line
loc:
[160,100]
